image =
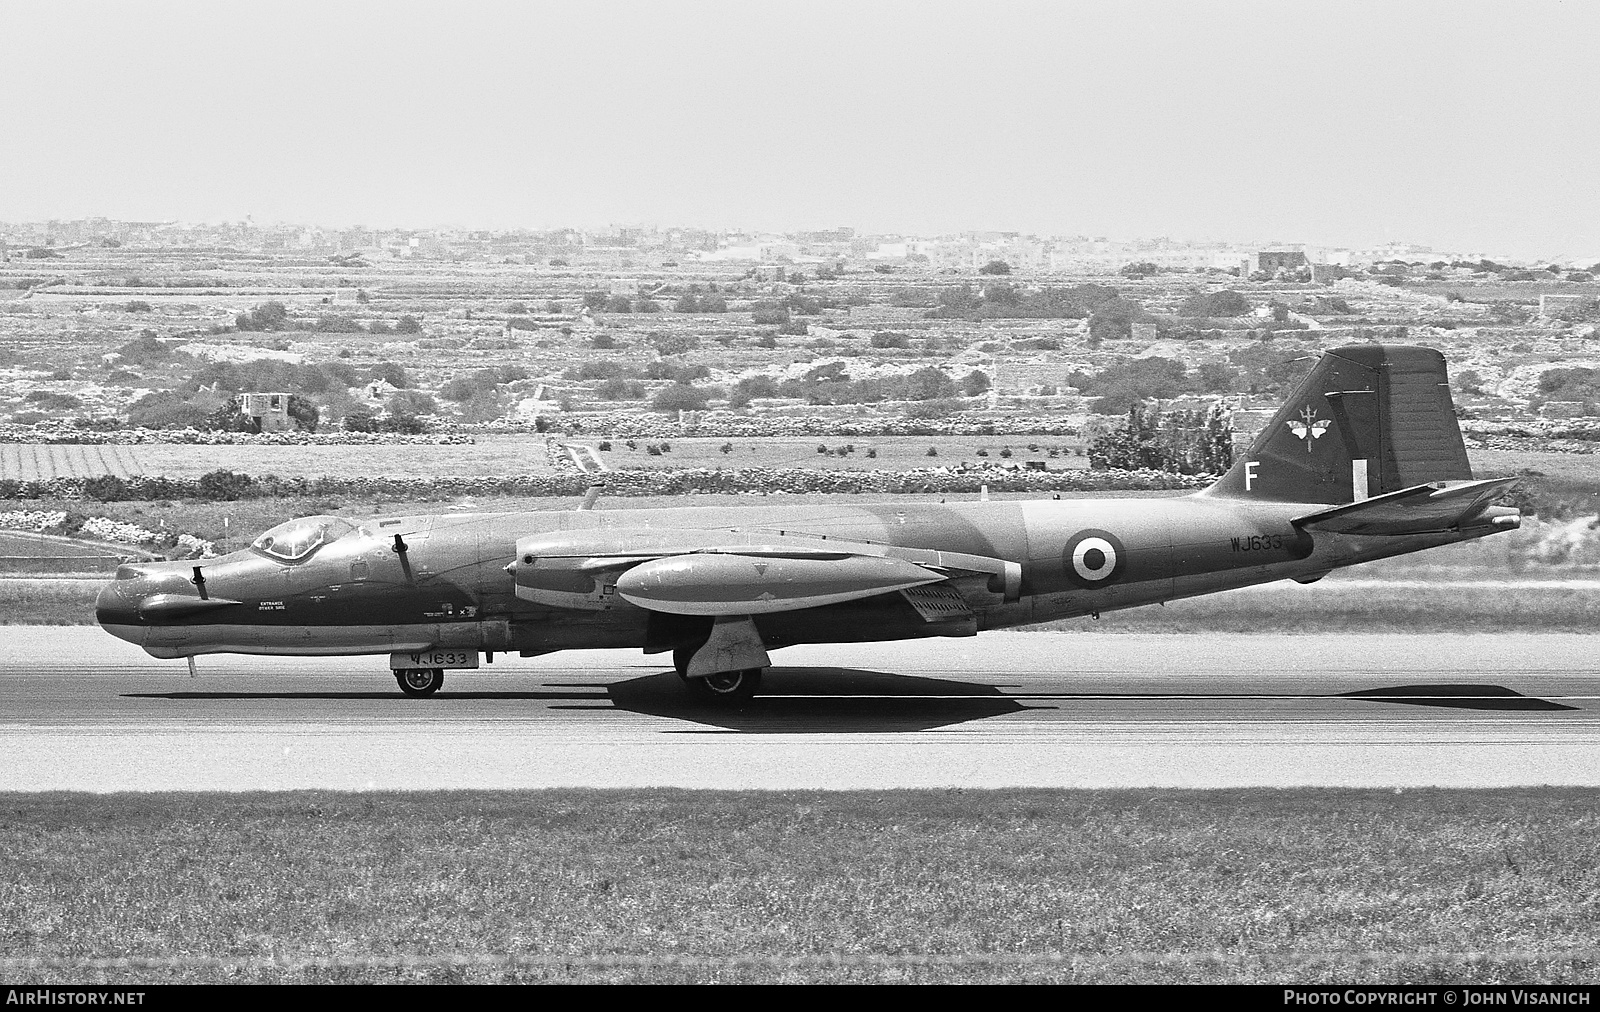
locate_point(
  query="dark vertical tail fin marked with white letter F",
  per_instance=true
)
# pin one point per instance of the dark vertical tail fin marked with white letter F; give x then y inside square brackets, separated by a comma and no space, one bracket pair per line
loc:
[1367,420]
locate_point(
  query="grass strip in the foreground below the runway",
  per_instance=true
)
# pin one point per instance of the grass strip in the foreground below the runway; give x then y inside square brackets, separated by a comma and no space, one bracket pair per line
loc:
[687,886]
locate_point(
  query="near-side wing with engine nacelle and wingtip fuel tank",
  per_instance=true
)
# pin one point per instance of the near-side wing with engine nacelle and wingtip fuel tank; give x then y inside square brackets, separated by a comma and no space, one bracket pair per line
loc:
[735,572]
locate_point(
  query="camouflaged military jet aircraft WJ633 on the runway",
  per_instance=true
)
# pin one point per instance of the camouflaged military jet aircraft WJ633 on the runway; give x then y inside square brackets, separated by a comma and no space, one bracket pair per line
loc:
[1362,462]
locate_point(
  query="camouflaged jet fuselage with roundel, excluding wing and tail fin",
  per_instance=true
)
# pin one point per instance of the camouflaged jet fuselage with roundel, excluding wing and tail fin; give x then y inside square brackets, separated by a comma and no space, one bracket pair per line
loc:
[449,582]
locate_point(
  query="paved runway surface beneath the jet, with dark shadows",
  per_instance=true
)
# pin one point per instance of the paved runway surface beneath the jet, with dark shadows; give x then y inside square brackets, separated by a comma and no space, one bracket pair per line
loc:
[81,710]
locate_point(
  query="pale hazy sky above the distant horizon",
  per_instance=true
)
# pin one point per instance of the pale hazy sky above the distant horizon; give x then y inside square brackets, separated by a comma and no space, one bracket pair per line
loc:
[1465,126]
